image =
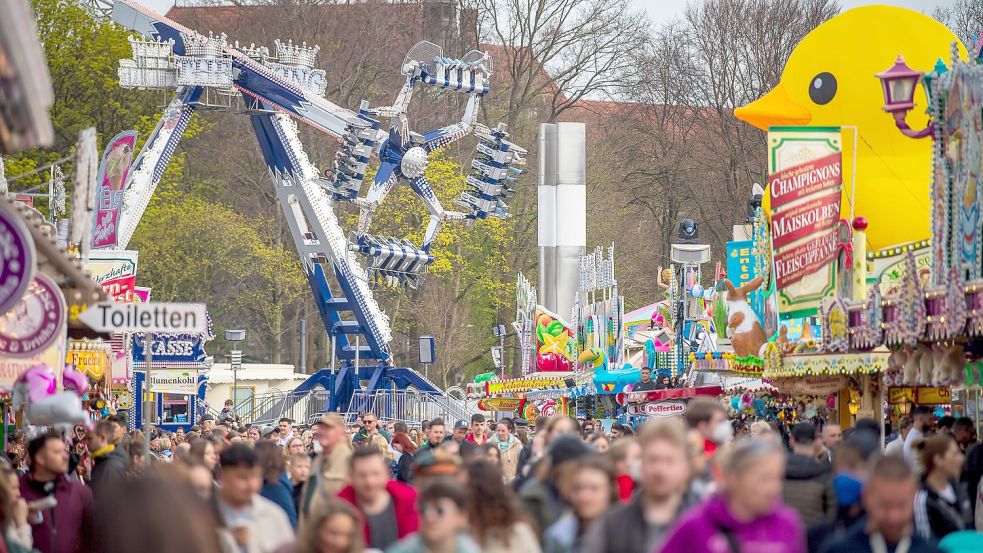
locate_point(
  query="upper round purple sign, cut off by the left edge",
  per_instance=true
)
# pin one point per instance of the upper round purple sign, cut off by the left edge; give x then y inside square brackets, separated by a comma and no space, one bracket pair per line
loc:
[17,259]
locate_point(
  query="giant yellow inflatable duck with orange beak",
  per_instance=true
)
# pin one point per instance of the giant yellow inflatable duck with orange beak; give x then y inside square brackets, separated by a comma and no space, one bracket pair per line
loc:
[829,81]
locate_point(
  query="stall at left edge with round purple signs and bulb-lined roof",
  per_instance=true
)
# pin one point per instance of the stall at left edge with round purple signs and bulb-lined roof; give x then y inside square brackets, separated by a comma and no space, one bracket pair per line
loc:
[54,366]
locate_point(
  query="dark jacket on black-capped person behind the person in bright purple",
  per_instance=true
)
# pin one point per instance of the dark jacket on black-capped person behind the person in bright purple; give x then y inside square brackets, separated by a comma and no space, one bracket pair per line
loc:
[809,489]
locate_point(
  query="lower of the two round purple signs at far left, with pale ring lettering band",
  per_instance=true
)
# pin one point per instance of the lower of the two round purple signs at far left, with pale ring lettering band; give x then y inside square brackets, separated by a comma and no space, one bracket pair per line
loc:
[36,321]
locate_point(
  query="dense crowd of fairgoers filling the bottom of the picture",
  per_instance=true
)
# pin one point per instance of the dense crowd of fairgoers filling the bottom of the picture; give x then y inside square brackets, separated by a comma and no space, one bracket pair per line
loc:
[694,484]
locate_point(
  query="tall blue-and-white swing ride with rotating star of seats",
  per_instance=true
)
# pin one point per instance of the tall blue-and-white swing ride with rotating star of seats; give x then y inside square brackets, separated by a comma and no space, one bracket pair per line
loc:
[209,73]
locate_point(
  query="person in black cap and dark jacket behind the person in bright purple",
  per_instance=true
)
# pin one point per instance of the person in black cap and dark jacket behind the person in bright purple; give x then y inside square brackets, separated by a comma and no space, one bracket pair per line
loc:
[808,483]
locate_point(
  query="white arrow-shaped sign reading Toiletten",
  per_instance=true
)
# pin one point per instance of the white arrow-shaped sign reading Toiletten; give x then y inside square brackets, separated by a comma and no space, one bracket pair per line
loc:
[146,317]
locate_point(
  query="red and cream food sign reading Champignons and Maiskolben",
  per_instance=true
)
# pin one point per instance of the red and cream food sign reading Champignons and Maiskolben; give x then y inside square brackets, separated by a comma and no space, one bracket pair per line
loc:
[805,165]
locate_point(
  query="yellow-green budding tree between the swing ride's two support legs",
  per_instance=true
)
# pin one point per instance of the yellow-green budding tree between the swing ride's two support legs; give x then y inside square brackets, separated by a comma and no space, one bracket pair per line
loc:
[195,250]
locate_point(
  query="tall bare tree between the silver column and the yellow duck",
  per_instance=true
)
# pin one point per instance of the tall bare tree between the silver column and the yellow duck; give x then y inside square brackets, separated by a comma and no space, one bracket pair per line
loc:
[697,159]
